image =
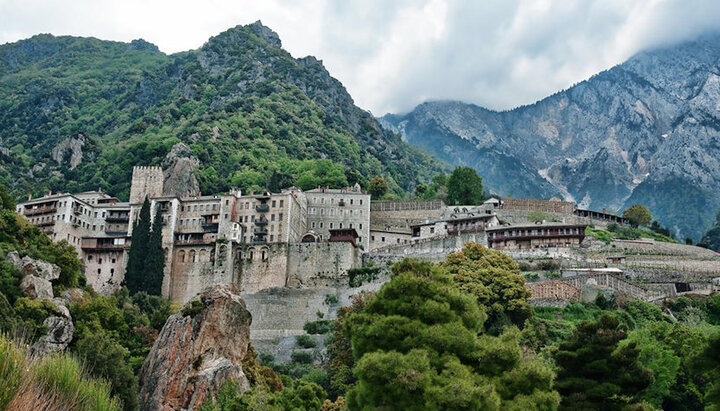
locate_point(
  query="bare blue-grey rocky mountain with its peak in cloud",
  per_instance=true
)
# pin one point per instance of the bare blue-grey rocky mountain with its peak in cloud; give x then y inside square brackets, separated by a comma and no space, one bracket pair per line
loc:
[646,131]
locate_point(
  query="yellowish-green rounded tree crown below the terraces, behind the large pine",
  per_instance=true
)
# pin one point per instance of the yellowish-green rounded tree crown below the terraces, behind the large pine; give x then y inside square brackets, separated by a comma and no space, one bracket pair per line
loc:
[494,280]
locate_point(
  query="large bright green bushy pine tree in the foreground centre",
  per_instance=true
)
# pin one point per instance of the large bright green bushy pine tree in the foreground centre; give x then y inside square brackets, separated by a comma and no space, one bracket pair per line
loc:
[417,346]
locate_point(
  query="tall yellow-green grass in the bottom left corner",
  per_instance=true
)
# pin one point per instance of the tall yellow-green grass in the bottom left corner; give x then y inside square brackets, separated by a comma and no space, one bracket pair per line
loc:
[52,382]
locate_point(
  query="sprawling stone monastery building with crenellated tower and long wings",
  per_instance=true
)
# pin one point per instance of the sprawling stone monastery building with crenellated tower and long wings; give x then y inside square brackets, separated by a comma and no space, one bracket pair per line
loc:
[294,238]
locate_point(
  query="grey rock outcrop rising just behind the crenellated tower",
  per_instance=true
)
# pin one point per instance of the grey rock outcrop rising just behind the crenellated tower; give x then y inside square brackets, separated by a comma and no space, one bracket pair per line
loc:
[178,176]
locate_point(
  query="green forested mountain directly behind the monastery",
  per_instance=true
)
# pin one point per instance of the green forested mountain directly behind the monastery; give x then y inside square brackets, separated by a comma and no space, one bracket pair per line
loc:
[78,113]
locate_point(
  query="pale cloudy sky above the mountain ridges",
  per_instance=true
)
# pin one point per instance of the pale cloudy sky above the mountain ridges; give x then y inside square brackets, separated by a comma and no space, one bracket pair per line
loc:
[394,54]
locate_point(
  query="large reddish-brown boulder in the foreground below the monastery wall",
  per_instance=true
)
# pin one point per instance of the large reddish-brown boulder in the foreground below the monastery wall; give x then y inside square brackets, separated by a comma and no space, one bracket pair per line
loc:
[198,349]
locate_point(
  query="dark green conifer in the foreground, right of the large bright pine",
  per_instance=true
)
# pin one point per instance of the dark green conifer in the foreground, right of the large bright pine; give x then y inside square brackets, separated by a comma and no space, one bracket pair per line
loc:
[595,371]
